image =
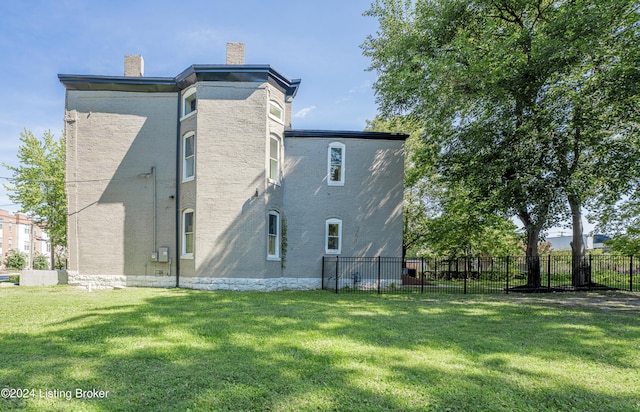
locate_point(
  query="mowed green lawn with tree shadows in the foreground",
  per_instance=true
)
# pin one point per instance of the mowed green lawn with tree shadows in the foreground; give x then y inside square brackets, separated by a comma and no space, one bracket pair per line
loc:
[180,350]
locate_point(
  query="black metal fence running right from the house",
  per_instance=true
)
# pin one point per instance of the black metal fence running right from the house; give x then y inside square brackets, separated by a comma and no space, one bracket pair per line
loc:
[480,274]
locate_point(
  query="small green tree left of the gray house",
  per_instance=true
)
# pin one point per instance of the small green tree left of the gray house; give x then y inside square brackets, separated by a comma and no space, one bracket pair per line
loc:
[38,184]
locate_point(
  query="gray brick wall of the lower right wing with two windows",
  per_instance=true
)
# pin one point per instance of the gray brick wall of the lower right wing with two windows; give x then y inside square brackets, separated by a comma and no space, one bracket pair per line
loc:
[369,204]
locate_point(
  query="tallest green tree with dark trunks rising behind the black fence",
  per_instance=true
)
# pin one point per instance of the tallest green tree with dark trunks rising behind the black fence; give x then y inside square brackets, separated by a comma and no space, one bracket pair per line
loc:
[510,90]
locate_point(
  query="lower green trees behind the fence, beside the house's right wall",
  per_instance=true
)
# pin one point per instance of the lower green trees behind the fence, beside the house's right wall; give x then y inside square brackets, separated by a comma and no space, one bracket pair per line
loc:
[440,218]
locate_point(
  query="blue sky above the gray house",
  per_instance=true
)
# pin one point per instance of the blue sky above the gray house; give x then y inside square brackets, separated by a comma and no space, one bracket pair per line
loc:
[316,41]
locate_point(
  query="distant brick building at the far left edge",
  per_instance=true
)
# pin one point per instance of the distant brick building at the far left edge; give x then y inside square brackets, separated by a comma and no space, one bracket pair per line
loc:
[17,231]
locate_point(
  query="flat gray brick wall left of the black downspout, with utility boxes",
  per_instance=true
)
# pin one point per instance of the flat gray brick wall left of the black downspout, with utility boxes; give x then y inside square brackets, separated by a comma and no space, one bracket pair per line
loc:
[121,156]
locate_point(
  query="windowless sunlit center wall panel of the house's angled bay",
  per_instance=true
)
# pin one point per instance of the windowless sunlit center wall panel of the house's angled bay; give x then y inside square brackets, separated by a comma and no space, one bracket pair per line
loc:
[231,143]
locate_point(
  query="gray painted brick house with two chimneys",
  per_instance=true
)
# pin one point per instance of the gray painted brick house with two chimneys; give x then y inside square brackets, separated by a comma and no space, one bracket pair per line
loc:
[199,181]
